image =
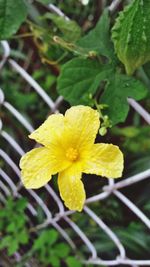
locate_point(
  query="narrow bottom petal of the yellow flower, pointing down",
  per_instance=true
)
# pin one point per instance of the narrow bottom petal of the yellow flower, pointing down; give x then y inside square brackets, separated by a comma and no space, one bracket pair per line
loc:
[71,189]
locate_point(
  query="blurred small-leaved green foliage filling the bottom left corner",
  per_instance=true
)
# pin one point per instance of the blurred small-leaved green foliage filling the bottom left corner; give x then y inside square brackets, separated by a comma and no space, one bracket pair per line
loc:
[15,232]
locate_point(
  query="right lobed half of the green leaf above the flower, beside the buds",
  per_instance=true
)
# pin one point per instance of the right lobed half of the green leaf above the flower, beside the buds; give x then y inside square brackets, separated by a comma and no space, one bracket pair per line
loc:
[118,89]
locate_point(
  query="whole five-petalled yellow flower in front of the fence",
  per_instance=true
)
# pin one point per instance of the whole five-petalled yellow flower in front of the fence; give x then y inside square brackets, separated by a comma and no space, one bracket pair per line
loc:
[69,149]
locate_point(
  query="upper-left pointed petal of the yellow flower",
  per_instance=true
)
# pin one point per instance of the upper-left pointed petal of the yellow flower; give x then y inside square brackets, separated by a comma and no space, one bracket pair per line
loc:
[50,131]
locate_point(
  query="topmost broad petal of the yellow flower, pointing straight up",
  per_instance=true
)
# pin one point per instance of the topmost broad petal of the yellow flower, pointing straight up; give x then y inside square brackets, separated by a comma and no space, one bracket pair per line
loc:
[84,123]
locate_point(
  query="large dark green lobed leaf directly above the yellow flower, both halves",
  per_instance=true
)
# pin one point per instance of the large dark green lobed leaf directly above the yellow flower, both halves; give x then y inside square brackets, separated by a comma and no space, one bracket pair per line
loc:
[81,78]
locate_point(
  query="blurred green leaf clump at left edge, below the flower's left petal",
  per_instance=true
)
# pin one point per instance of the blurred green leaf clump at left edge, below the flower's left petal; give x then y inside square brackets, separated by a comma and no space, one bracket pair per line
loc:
[13,225]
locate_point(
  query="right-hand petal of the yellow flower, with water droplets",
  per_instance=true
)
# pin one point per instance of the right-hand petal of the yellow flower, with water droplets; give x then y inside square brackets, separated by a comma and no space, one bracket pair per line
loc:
[105,160]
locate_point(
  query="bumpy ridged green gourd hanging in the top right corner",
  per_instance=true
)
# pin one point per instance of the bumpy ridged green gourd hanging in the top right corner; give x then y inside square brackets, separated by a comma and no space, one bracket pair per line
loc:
[131,35]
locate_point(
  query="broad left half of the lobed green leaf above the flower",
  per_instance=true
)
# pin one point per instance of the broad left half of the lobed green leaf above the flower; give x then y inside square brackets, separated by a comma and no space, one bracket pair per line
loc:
[80,78]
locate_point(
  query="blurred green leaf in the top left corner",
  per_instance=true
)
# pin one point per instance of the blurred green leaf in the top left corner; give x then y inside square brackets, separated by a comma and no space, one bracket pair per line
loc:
[12,14]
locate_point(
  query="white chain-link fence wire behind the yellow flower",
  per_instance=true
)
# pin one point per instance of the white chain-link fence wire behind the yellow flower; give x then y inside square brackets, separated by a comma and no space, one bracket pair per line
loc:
[8,186]
